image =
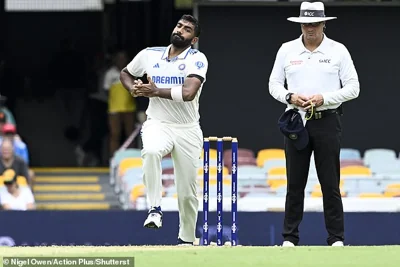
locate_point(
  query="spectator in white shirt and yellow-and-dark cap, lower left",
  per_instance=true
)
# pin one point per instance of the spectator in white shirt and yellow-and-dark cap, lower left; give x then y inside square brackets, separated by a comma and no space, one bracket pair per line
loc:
[15,197]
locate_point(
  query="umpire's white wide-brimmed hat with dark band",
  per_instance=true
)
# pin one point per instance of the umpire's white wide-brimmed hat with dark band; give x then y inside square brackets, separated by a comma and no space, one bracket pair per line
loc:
[311,13]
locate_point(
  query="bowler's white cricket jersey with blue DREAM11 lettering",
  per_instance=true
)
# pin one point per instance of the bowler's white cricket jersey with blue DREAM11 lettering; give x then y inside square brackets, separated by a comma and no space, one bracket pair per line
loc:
[165,73]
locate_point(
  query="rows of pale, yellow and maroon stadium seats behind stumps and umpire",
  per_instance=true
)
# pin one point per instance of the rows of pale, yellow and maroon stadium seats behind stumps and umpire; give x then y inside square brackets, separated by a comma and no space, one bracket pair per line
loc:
[376,174]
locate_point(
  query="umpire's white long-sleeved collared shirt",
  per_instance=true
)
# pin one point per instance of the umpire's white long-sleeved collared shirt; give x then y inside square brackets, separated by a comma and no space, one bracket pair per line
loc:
[328,70]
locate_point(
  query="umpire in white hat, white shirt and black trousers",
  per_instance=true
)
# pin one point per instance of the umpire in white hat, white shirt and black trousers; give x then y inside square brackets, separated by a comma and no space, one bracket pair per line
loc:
[320,76]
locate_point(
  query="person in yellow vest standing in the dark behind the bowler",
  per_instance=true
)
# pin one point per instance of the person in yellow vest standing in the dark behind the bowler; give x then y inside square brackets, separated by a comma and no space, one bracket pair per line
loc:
[121,105]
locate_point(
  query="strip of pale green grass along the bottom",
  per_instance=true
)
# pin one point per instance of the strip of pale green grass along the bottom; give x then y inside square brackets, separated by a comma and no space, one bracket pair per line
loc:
[168,256]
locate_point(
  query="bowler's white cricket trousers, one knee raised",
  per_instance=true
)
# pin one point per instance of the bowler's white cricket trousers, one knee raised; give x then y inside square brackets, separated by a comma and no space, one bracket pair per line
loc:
[185,143]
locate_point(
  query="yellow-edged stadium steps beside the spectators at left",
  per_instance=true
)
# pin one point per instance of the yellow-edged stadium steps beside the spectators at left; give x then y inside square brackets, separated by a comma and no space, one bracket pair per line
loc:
[74,189]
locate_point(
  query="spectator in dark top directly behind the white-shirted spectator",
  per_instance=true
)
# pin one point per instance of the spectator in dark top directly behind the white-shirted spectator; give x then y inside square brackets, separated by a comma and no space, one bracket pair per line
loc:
[9,160]
